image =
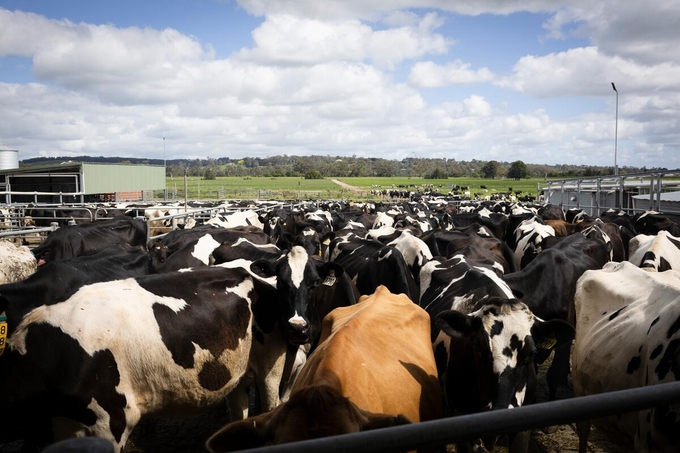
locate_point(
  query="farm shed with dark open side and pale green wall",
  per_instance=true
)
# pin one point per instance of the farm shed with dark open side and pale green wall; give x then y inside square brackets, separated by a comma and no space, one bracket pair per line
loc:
[79,182]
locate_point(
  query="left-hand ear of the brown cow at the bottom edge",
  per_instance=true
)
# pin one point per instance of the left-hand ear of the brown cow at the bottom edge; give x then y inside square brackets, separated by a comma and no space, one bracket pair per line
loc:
[240,435]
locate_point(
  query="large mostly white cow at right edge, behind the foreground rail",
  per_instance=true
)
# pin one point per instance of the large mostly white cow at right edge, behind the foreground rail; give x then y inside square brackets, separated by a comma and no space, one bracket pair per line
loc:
[627,336]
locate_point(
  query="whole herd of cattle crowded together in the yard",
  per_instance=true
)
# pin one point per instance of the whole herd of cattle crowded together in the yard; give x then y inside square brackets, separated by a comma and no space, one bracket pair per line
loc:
[341,318]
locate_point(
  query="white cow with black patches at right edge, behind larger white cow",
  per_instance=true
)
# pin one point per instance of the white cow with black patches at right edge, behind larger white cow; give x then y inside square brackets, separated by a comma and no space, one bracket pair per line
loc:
[657,253]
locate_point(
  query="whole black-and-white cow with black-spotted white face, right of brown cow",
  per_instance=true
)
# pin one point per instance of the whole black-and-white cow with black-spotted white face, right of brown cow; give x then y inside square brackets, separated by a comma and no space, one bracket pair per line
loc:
[484,340]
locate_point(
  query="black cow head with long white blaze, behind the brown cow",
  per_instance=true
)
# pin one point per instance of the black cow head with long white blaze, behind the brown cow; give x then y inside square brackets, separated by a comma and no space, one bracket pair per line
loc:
[297,275]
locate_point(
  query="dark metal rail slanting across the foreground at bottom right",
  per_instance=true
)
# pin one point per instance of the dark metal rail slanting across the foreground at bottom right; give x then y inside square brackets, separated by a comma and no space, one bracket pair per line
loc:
[497,422]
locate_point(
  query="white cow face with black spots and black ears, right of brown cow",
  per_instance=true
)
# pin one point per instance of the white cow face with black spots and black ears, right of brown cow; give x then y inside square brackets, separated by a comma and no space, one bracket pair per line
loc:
[503,337]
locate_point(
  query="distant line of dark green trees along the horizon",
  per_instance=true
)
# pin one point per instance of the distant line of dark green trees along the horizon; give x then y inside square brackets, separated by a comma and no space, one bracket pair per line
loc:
[355,166]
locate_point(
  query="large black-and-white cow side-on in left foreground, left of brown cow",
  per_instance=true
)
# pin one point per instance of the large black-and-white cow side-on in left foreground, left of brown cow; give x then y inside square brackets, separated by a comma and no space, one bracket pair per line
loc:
[113,352]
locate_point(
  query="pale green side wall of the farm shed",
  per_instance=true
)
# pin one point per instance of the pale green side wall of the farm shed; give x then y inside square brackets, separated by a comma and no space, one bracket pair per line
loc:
[109,178]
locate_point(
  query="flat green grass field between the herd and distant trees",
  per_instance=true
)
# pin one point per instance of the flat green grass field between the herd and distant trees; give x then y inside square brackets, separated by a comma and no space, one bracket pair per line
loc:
[294,188]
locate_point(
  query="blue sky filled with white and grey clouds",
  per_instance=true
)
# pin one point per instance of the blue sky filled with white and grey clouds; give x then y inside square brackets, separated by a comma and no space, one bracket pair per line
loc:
[501,80]
